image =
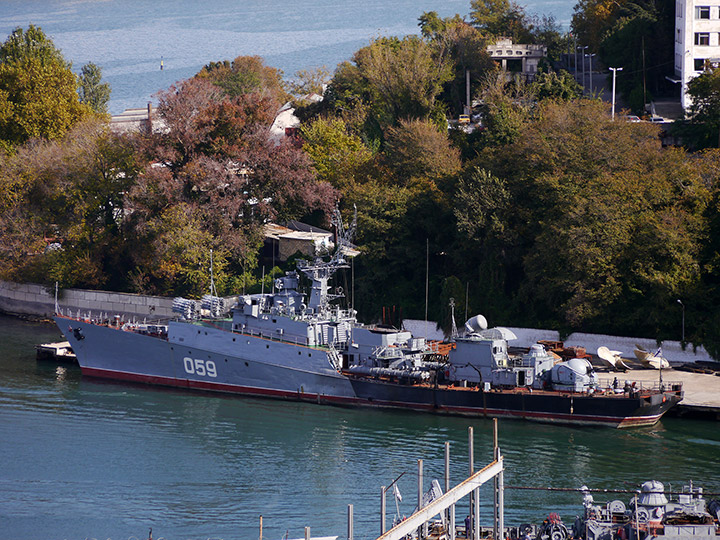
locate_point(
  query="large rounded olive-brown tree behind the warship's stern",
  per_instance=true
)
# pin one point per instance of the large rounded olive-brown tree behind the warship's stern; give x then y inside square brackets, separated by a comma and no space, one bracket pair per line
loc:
[606,226]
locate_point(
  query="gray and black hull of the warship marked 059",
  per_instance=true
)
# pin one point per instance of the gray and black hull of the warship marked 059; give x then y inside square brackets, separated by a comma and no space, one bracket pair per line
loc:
[209,357]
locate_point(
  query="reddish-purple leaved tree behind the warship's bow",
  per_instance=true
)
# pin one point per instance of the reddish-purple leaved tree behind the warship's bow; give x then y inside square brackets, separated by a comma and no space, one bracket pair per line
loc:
[217,161]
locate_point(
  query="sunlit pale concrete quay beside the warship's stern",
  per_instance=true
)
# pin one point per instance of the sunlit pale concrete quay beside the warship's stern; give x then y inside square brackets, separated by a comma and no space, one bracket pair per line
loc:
[702,391]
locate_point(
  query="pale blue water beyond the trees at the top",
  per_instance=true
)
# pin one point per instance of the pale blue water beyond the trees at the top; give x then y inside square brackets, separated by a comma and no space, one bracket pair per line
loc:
[128,38]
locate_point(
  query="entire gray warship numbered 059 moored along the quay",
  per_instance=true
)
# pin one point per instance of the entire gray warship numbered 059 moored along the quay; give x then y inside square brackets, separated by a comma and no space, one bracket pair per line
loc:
[289,345]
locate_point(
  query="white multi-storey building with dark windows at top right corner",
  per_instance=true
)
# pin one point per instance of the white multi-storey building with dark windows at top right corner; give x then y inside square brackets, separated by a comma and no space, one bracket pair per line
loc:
[697,40]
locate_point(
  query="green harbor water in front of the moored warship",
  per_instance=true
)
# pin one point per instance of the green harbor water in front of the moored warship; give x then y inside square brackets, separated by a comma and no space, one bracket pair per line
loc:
[83,458]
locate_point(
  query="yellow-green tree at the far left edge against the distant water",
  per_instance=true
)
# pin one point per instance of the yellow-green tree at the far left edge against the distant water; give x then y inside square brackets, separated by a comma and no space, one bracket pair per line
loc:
[38,90]
